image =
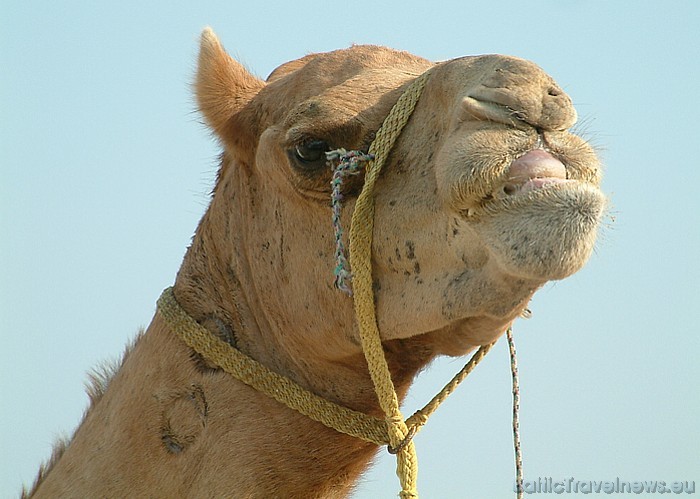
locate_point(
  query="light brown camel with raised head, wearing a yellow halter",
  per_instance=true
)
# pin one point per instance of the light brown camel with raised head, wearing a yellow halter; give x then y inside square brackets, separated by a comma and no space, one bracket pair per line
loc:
[485,197]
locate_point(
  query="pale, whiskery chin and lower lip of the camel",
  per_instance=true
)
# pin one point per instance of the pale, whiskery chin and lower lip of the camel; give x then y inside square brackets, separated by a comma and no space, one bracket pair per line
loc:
[543,234]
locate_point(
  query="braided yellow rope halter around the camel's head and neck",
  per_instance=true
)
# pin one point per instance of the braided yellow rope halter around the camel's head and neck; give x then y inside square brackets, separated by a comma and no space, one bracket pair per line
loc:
[394,431]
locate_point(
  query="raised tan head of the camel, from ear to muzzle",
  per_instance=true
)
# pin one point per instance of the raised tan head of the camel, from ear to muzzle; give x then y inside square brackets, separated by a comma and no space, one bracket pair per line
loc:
[485,196]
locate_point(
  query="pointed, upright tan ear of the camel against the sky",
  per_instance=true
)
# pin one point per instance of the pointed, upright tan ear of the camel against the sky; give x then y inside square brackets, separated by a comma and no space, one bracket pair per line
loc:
[223,86]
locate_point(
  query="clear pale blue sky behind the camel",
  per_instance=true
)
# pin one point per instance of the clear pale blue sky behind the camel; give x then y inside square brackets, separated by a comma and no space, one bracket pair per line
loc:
[105,170]
